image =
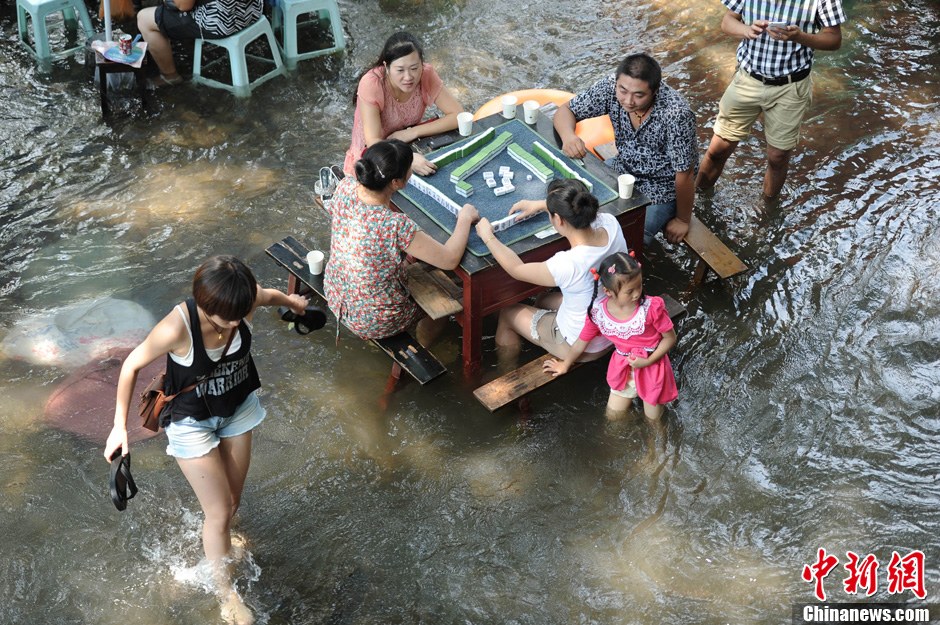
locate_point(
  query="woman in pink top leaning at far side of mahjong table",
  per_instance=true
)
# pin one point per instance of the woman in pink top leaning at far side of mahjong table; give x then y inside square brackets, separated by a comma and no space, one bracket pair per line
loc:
[392,98]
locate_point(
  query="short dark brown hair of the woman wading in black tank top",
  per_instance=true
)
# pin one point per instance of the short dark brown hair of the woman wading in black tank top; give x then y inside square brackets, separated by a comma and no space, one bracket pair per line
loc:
[224,286]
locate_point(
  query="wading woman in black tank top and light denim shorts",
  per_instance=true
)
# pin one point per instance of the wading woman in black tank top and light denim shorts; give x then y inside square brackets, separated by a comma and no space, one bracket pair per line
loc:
[206,422]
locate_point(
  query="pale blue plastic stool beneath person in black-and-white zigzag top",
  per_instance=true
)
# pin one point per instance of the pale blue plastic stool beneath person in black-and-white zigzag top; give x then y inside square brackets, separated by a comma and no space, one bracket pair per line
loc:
[238,59]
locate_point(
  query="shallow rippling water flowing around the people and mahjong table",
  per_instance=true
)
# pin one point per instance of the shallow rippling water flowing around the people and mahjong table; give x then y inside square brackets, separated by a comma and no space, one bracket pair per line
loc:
[808,410]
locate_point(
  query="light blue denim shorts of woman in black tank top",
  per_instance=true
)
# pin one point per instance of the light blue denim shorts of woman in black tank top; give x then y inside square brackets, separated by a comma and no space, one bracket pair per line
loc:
[189,438]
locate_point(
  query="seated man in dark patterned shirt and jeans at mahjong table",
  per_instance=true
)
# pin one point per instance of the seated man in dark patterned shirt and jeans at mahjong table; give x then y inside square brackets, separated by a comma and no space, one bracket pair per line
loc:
[654,130]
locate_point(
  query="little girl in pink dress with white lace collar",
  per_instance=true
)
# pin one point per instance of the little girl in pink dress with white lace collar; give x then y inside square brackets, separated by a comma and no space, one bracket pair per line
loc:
[642,334]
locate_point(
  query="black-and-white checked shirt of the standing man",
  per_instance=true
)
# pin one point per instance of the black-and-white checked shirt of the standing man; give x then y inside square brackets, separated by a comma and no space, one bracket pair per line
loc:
[774,59]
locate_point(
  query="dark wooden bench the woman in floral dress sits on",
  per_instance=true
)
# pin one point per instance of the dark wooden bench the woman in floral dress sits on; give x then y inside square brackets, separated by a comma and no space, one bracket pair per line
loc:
[407,353]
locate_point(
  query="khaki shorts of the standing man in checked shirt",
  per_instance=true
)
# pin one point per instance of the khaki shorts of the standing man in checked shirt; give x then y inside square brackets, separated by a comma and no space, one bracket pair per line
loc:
[783,107]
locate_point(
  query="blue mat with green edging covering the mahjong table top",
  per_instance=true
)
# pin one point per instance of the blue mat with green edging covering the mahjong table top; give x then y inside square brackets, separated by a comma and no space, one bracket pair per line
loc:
[495,207]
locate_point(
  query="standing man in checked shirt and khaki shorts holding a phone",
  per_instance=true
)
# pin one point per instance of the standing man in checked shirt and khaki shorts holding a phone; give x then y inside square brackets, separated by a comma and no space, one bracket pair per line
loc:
[775,57]
